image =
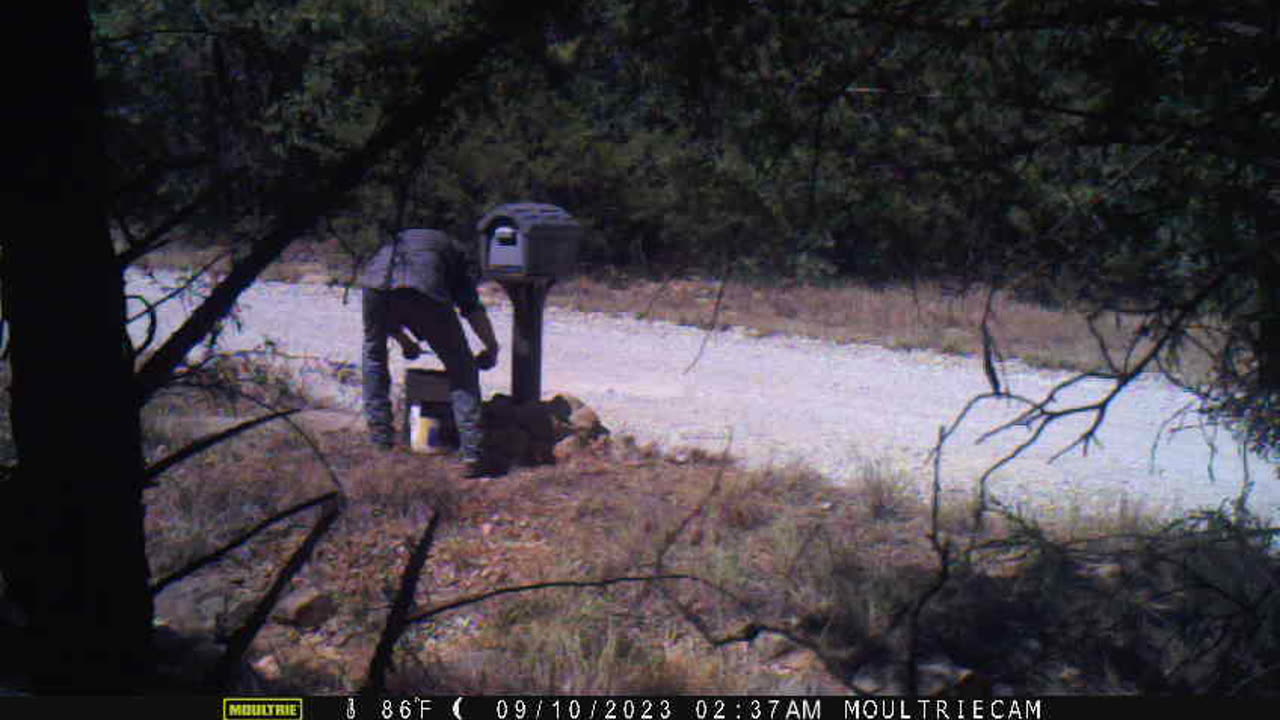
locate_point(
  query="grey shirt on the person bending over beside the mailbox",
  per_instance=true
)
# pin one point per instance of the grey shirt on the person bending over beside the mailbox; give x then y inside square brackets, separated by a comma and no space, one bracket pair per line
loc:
[427,261]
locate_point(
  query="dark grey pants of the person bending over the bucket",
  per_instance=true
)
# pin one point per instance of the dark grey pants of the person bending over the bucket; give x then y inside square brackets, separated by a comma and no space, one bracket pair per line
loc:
[386,311]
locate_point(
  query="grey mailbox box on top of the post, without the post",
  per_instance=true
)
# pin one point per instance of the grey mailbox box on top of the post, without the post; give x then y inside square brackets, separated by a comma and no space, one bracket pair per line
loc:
[528,240]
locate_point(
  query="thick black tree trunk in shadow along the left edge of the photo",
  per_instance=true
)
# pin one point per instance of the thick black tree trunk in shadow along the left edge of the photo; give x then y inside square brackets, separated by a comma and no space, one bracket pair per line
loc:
[72,545]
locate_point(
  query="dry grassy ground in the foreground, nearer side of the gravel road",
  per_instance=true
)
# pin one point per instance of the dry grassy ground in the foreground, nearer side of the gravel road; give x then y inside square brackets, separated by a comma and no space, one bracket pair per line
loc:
[1032,610]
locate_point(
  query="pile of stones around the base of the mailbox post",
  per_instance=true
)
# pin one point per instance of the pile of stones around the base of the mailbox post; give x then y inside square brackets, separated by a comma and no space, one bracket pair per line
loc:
[540,434]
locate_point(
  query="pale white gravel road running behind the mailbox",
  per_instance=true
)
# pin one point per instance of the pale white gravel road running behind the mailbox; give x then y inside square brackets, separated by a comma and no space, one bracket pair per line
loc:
[780,400]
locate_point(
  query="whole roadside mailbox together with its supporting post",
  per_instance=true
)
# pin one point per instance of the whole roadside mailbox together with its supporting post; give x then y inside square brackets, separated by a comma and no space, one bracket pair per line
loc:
[527,247]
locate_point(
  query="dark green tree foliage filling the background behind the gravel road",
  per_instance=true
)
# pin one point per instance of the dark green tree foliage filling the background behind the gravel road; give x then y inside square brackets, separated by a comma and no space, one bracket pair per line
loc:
[1103,156]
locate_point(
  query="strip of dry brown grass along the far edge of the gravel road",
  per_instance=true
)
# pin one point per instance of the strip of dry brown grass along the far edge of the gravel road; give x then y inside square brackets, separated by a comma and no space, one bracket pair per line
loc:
[926,317]
